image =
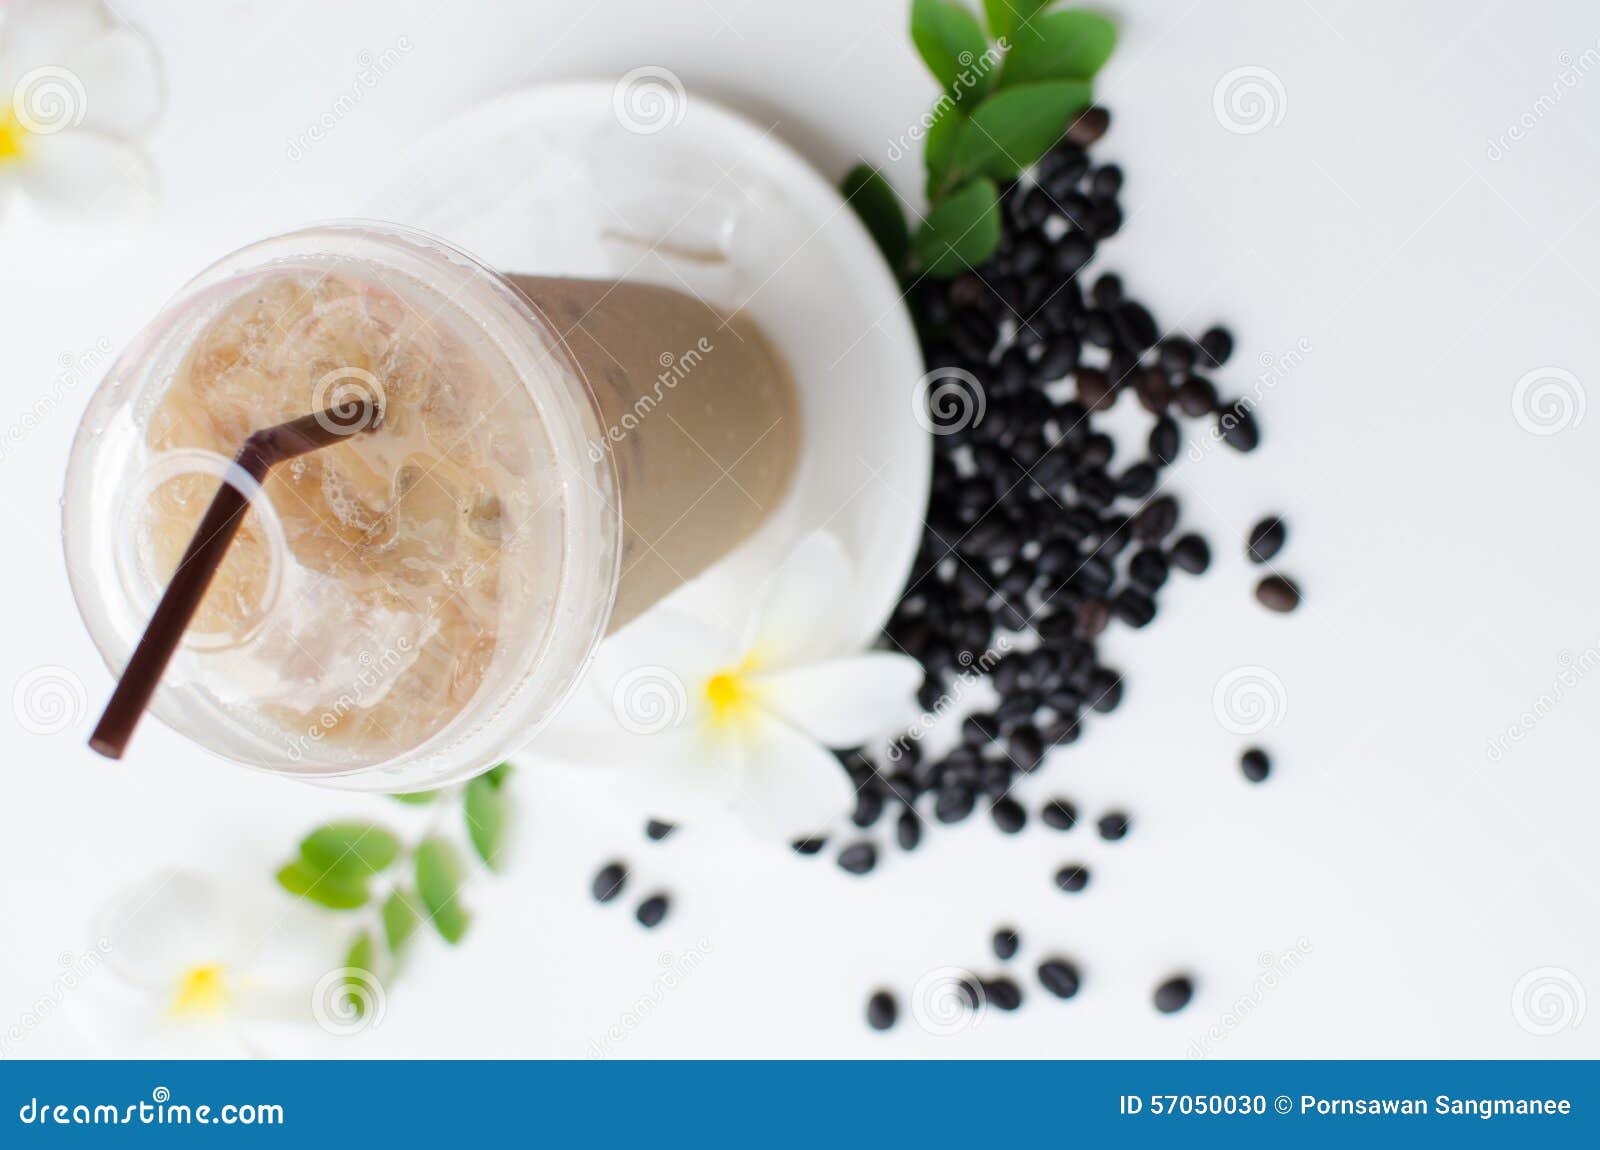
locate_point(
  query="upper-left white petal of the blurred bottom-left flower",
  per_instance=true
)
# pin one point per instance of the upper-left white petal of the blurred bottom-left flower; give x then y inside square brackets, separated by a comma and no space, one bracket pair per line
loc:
[166,925]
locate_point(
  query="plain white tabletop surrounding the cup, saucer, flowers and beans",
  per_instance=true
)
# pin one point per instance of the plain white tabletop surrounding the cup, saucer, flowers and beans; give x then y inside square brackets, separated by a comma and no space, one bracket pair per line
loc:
[1446,551]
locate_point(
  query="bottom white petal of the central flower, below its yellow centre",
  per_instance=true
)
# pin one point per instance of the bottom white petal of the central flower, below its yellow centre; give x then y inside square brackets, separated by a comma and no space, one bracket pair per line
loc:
[791,786]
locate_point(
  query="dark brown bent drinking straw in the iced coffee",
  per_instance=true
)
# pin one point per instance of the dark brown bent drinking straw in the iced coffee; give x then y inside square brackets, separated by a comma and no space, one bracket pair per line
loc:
[206,554]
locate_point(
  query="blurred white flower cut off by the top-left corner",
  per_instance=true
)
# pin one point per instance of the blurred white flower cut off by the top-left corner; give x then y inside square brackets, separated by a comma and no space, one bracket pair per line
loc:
[78,92]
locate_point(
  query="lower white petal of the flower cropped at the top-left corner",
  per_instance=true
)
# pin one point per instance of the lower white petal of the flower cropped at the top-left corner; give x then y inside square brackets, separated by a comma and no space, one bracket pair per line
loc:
[87,175]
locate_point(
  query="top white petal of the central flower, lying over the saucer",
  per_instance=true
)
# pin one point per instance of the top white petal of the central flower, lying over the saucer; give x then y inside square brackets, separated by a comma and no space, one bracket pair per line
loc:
[799,615]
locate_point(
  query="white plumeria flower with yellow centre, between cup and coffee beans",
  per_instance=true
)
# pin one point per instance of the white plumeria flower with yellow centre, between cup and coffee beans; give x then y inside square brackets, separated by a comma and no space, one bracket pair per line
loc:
[740,714]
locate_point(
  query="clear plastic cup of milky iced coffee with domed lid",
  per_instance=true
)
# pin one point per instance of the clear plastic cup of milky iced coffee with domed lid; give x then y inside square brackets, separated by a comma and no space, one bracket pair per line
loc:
[546,460]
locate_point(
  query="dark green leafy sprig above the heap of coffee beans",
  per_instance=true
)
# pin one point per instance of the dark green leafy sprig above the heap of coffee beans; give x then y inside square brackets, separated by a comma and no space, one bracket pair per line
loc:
[1006,98]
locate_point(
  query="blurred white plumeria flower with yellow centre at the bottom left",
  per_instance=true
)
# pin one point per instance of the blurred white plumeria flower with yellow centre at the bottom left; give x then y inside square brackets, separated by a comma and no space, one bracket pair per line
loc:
[202,970]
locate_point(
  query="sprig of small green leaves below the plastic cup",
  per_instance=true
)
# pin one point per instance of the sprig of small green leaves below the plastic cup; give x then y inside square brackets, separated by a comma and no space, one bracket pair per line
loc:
[396,885]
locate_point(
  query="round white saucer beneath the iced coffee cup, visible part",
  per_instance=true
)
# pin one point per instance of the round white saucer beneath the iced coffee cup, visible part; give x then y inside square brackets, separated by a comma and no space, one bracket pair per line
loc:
[636,180]
